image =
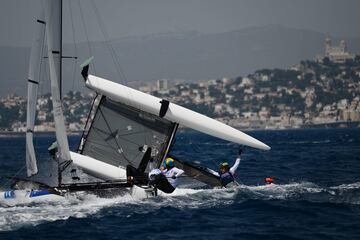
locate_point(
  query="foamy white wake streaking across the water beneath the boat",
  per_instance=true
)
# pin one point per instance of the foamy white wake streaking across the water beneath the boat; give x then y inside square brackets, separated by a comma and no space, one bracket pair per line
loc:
[82,205]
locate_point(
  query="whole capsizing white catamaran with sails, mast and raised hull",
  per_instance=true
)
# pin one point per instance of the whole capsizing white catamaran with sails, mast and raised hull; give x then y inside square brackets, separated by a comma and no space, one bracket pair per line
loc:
[126,127]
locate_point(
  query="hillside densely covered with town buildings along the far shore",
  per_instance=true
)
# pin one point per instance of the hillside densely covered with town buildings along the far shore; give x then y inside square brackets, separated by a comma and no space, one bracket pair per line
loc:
[306,94]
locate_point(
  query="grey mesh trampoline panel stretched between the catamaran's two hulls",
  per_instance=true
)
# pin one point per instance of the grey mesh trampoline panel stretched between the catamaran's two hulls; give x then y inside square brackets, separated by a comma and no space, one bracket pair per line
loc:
[120,135]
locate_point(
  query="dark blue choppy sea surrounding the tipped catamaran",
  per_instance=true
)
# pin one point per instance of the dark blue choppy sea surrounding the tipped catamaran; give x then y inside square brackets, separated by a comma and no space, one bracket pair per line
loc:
[316,195]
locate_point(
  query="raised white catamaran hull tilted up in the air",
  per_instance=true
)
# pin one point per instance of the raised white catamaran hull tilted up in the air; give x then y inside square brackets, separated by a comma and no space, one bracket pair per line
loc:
[175,113]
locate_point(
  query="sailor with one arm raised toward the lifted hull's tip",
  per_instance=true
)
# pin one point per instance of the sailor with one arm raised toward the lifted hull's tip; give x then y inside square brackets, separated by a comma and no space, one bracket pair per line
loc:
[227,174]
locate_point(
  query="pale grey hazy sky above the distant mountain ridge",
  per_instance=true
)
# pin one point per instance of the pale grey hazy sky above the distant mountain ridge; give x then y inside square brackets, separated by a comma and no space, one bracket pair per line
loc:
[124,18]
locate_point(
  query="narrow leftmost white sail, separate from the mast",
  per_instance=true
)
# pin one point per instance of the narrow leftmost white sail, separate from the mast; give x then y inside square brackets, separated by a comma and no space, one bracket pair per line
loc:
[33,82]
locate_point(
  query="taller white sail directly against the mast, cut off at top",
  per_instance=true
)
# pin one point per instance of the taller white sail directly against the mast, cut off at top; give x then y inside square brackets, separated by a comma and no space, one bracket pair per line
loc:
[52,10]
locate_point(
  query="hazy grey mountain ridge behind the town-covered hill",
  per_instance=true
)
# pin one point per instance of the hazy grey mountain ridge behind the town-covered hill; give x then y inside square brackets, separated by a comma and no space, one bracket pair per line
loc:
[189,56]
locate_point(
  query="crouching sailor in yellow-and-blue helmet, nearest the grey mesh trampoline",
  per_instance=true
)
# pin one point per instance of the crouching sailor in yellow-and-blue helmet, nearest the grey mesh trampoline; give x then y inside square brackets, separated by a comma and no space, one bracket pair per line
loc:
[165,178]
